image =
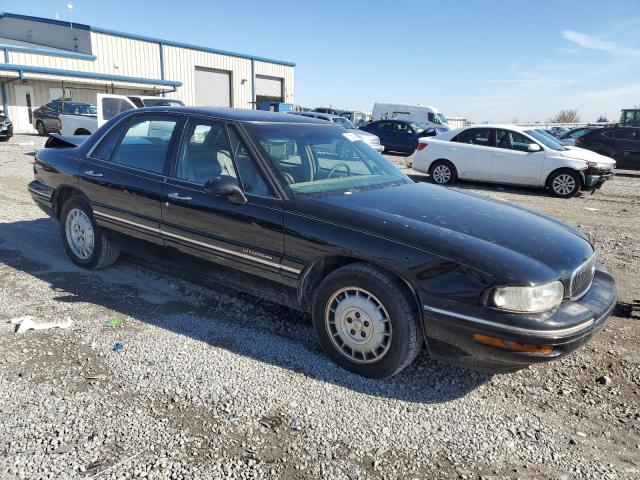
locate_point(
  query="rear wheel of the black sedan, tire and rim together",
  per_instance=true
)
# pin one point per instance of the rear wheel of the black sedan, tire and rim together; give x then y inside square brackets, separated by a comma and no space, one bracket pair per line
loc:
[93,255]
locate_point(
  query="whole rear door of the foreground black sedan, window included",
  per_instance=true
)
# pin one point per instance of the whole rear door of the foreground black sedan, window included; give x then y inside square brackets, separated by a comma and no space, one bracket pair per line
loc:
[123,175]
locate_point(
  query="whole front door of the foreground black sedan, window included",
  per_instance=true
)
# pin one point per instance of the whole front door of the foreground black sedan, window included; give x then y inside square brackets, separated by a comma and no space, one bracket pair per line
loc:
[246,237]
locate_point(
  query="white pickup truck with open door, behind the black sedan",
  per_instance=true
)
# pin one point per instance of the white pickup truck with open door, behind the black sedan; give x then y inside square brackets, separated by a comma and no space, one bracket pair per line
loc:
[108,107]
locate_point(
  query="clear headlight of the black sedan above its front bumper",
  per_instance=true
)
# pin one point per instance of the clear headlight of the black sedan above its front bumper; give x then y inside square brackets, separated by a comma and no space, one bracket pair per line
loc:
[528,299]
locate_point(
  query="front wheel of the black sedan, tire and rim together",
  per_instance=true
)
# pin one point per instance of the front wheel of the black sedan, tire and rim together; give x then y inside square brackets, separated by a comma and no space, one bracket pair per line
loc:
[360,306]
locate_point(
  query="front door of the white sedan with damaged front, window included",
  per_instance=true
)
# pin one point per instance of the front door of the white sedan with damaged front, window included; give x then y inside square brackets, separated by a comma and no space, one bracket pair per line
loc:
[513,163]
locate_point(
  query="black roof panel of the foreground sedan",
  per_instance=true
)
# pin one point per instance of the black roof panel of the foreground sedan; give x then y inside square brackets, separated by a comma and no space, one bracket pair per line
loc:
[237,114]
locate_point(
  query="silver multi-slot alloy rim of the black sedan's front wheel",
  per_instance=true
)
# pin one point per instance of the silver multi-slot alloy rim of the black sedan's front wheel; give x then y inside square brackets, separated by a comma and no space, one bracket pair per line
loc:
[358,325]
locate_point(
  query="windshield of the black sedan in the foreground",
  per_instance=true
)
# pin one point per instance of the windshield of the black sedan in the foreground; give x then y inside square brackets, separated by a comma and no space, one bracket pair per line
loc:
[317,159]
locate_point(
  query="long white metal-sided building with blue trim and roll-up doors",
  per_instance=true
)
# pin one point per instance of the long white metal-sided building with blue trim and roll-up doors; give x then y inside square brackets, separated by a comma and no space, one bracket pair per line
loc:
[43,60]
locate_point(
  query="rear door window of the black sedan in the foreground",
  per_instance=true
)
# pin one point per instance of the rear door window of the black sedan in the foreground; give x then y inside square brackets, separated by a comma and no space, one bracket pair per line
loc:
[146,143]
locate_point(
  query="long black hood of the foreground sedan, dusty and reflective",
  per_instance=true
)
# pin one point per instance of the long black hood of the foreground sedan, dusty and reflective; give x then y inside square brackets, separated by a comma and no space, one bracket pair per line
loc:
[513,244]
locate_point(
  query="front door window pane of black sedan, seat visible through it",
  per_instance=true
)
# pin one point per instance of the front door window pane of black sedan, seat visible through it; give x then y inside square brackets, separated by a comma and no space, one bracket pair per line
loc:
[205,154]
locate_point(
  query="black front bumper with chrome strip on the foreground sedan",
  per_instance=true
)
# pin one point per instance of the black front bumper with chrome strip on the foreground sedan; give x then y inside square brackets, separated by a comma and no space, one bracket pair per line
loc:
[451,332]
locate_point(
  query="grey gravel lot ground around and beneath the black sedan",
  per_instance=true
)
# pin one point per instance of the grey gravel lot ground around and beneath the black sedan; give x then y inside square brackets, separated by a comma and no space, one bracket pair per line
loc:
[214,384]
